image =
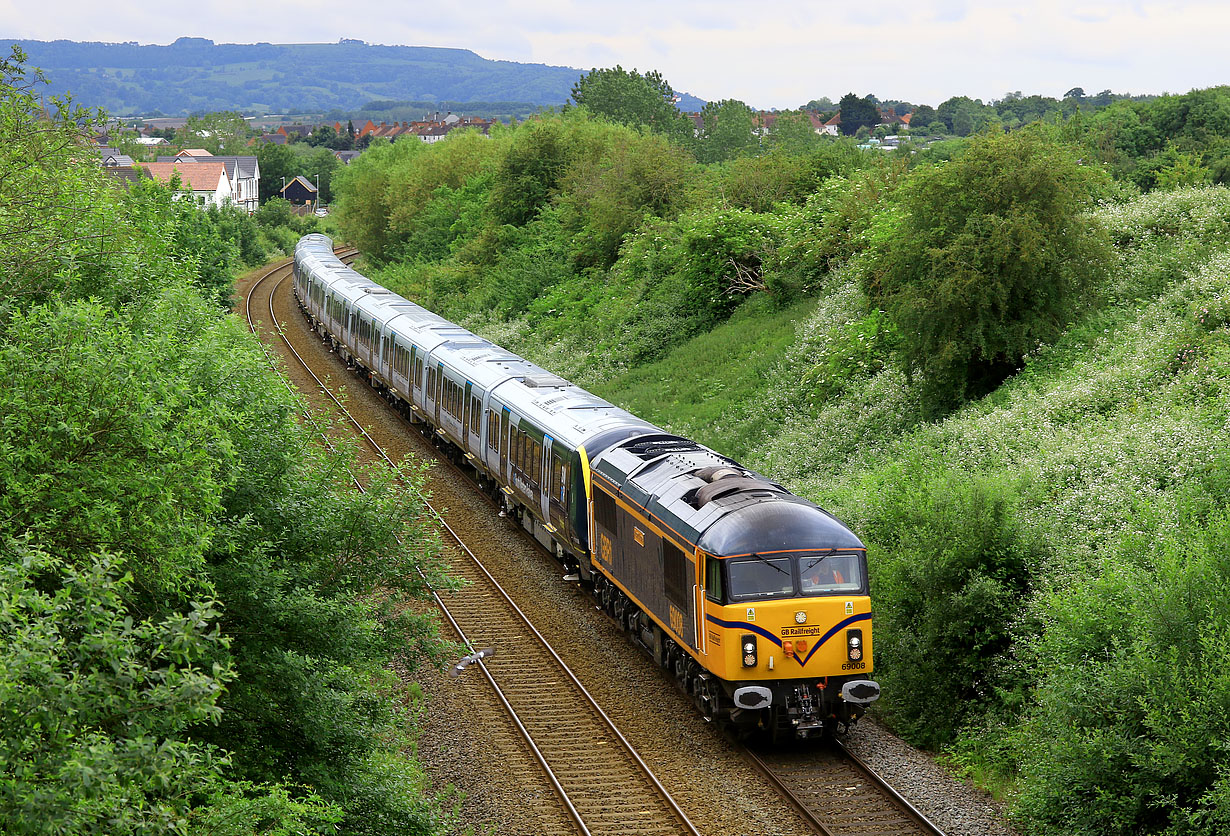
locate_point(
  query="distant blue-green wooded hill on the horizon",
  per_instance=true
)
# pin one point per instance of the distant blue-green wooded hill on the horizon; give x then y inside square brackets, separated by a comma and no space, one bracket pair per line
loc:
[195,76]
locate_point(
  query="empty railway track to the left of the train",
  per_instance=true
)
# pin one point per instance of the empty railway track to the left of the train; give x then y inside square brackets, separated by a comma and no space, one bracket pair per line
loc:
[601,781]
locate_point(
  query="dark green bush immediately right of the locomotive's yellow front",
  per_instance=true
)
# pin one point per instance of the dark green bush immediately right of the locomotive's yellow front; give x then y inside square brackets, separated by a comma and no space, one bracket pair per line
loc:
[950,577]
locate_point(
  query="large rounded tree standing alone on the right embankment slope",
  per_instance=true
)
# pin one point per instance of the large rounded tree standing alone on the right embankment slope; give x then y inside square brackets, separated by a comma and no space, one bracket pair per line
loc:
[982,259]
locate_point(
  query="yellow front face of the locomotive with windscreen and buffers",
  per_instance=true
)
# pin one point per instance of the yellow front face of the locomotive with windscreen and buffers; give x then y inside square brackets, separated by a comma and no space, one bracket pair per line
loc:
[790,635]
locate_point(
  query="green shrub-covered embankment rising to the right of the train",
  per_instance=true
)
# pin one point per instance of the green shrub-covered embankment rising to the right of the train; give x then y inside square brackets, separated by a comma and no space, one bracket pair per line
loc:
[1004,361]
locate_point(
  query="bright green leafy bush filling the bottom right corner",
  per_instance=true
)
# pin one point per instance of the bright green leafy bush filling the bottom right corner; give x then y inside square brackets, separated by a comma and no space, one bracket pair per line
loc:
[1132,728]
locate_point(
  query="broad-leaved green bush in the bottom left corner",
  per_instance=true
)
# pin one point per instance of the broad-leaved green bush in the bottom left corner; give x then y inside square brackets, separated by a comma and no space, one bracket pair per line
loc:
[95,705]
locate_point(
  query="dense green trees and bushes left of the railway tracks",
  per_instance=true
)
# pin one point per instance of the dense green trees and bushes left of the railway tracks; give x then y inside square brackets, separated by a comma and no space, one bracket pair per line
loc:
[200,617]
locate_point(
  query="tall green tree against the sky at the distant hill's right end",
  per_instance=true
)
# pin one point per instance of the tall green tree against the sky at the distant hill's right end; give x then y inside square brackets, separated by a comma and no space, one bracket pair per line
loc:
[632,99]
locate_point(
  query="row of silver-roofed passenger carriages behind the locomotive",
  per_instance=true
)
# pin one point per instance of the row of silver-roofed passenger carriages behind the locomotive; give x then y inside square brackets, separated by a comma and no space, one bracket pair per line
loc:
[525,431]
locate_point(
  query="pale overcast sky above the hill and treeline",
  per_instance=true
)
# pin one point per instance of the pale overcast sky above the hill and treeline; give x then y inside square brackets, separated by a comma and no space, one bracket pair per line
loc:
[769,53]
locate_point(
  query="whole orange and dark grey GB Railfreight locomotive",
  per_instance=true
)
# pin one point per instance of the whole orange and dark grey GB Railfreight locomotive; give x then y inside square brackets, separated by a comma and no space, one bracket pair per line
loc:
[756,599]
